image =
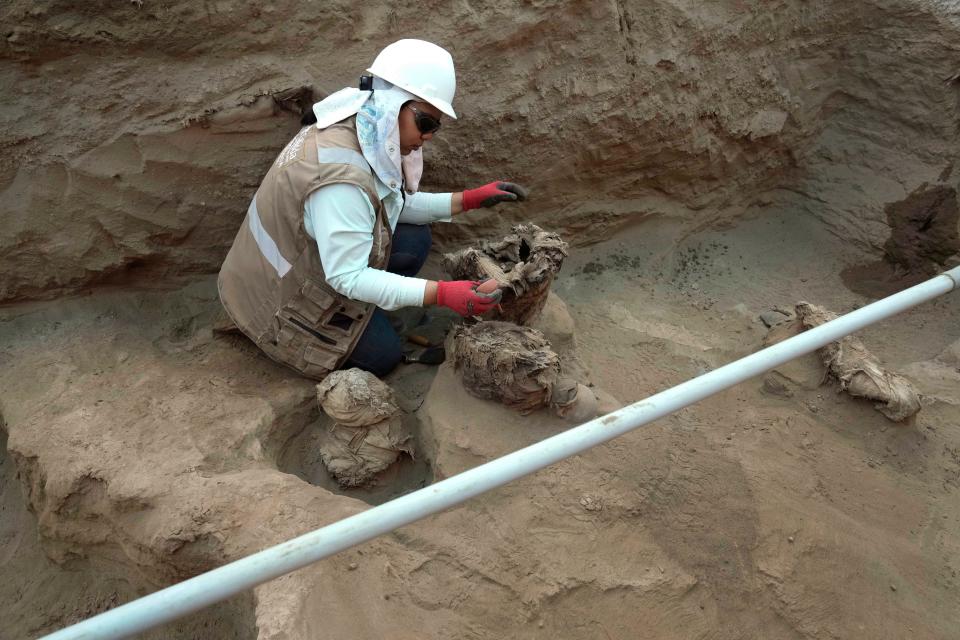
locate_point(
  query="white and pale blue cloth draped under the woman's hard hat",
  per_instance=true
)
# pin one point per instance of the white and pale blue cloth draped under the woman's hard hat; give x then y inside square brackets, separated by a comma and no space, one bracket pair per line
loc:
[377,130]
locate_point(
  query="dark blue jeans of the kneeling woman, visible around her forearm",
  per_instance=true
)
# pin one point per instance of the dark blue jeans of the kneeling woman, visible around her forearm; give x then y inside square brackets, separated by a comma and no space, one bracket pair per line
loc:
[380,348]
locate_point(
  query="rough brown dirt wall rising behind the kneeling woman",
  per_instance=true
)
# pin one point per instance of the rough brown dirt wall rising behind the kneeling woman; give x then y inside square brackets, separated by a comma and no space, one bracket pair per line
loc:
[136,132]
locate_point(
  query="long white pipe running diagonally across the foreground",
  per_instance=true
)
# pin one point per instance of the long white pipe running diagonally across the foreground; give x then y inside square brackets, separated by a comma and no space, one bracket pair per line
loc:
[203,590]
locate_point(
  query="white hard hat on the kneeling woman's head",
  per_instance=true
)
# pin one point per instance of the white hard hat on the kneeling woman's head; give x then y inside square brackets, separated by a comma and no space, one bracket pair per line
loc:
[422,68]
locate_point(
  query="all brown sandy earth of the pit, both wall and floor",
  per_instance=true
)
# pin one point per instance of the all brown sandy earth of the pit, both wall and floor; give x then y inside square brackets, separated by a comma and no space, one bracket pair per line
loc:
[707,162]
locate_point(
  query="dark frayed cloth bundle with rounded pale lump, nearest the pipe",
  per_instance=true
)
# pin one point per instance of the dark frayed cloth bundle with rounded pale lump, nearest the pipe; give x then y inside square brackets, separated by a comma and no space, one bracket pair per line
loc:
[515,365]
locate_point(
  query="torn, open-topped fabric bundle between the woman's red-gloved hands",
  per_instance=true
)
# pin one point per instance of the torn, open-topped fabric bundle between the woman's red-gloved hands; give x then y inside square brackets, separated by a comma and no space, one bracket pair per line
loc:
[524,263]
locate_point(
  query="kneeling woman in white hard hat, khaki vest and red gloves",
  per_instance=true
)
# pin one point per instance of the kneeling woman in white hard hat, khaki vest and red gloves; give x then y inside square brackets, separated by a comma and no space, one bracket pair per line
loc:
[337,230]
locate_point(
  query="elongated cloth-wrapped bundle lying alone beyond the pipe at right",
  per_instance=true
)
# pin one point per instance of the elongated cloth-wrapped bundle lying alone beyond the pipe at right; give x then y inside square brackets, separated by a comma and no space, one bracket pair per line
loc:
[859,371]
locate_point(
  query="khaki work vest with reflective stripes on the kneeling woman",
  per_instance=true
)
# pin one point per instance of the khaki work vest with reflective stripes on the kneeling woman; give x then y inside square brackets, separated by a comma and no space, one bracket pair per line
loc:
[272,282]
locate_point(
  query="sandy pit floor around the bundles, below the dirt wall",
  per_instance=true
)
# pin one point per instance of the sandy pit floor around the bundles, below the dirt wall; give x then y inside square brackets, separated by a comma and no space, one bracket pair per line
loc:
[779,509]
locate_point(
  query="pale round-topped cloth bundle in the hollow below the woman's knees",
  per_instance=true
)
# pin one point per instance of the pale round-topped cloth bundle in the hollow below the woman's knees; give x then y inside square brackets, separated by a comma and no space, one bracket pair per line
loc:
[368,435]
